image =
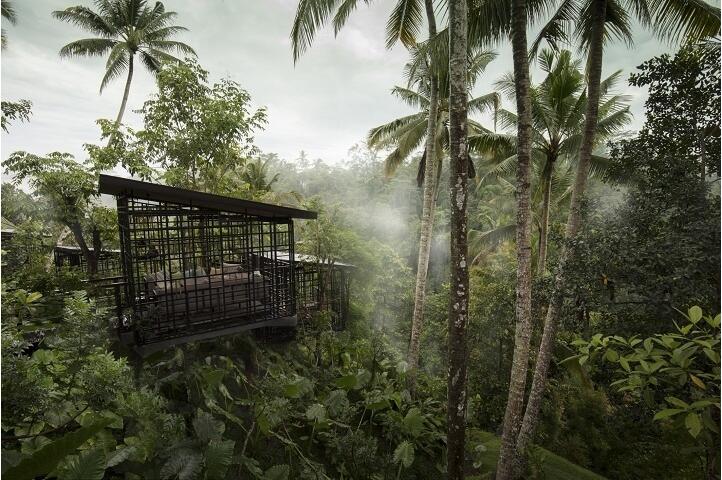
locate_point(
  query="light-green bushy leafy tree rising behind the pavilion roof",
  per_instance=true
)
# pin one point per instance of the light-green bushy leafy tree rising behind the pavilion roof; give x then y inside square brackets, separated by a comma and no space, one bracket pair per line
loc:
[203,141]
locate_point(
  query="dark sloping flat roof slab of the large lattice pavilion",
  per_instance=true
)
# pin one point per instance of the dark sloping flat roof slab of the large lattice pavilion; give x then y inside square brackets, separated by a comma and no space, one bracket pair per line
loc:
[152,191]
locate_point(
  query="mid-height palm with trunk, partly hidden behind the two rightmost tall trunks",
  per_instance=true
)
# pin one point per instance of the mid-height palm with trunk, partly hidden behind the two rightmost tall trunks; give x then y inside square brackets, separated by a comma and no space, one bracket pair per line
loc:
[558,106]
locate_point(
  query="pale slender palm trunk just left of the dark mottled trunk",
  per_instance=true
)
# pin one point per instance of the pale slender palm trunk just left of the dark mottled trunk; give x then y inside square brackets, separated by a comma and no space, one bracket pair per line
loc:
[427,216]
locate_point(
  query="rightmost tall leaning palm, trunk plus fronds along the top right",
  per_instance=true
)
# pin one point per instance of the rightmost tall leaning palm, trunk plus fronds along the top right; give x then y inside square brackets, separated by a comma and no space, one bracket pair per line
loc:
[593,23]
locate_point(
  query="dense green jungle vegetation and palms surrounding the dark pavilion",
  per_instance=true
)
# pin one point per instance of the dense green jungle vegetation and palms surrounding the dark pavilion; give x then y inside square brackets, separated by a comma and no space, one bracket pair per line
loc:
[576,336]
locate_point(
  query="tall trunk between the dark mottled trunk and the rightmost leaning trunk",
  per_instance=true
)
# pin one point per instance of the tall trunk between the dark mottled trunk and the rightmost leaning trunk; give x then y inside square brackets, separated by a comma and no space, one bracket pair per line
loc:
[520,363]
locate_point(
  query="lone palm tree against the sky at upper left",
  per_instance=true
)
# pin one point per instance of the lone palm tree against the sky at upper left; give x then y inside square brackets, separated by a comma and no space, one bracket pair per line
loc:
[125,28]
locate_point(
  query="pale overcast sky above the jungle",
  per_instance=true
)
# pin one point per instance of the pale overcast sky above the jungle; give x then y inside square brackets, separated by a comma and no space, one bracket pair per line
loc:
[324,104]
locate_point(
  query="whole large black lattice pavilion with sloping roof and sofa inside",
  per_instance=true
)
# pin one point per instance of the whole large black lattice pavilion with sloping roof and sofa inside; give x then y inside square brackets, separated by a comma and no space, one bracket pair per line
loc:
[197,266]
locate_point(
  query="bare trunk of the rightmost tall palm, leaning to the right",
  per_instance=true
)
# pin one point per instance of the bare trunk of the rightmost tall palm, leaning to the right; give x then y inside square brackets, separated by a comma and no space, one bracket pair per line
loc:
[594,75]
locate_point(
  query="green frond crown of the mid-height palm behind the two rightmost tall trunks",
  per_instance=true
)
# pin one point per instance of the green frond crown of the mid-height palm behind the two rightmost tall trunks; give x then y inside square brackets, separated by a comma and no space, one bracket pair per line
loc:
[558,107]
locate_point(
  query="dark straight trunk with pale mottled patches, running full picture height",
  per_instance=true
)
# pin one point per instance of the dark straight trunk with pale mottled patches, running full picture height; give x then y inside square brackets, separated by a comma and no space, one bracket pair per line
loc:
[459,298]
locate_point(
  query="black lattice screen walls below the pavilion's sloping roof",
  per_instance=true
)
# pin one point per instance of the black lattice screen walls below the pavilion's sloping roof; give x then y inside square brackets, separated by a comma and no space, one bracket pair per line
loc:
[191,270]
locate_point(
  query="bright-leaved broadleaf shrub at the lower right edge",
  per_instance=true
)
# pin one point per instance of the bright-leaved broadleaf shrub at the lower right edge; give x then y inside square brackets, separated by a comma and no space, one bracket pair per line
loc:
[675,373]
